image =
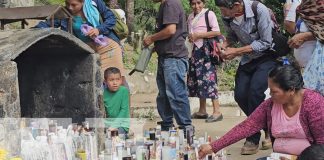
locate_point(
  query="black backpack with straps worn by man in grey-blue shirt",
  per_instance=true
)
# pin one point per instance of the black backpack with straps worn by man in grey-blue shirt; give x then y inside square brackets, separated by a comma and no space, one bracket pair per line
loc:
[279,46]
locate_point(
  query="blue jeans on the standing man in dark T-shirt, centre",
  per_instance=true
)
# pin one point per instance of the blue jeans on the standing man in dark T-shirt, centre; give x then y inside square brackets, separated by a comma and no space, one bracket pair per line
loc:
[172,99]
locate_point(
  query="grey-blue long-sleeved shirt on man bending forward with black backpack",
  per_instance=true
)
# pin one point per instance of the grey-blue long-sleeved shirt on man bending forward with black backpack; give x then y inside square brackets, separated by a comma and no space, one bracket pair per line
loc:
[259,36]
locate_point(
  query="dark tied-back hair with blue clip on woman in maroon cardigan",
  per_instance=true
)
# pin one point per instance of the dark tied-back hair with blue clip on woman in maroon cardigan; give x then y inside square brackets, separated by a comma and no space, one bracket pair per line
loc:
[287,75]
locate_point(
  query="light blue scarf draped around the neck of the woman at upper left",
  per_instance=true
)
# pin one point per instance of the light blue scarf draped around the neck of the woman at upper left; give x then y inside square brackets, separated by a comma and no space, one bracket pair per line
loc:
[91,13]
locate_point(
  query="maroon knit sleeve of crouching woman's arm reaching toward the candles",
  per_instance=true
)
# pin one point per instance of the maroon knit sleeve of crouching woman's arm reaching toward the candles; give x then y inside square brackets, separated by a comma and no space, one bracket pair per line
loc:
[254,123]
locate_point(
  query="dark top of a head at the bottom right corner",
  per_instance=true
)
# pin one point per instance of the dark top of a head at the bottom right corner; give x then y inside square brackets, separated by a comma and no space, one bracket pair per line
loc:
[313,152]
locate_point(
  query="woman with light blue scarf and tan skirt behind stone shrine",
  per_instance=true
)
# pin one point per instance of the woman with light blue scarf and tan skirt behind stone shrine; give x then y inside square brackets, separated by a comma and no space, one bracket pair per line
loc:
[96,14]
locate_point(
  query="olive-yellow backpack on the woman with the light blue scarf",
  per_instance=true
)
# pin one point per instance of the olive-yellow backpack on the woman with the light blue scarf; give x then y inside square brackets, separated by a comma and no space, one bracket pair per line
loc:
[120,28]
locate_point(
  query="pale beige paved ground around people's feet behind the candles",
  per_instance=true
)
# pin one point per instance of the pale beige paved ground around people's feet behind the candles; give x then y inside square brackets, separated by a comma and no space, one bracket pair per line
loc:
[232,116]
